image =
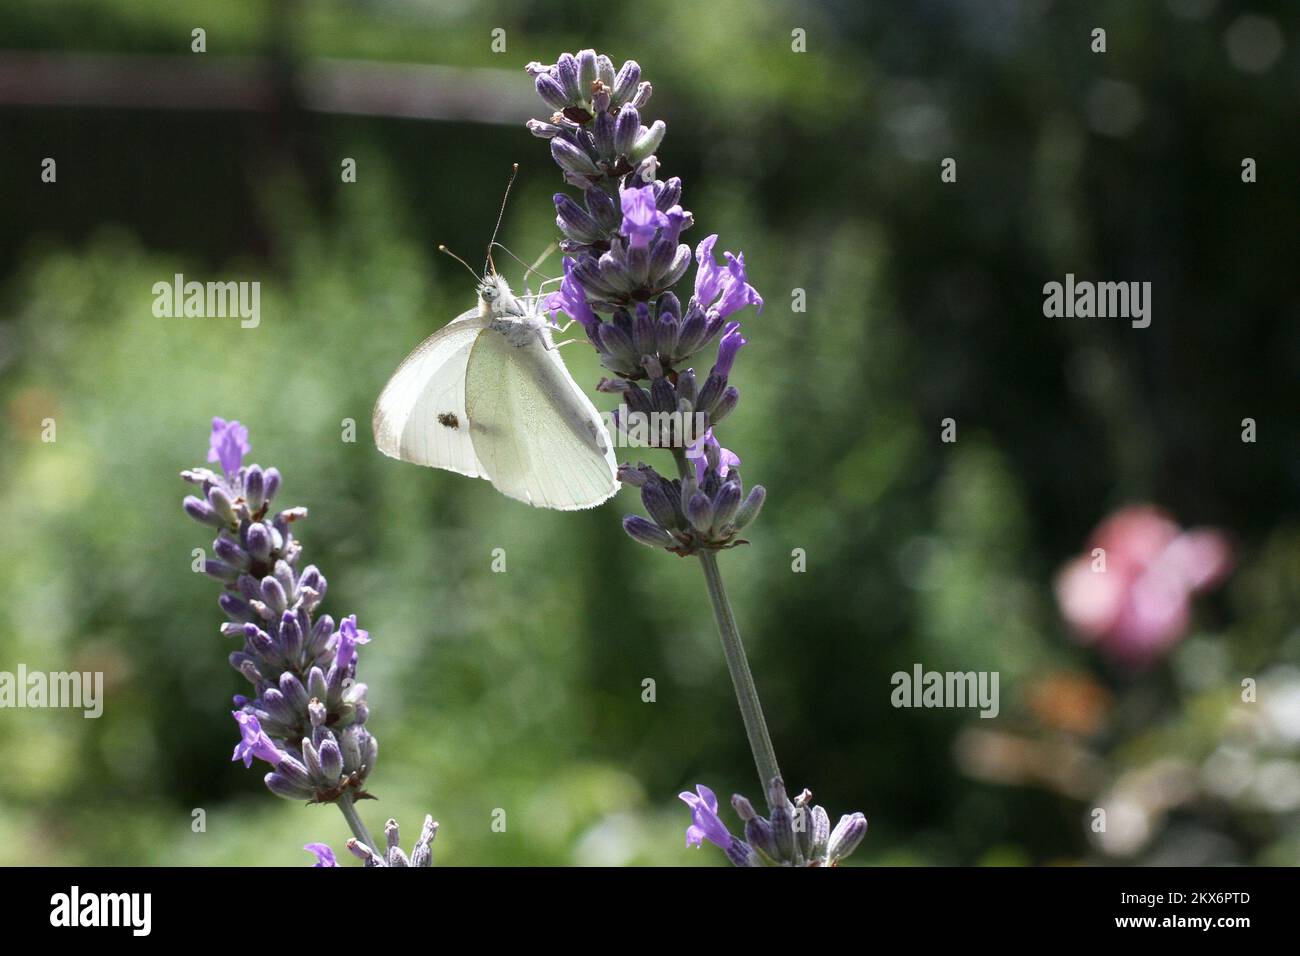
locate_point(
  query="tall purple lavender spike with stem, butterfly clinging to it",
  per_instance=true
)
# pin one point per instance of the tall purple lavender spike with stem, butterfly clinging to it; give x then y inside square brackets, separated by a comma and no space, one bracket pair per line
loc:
[623,261]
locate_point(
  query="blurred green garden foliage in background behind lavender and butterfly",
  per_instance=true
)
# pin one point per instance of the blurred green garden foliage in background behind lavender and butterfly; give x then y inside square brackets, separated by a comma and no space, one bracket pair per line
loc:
[523,691]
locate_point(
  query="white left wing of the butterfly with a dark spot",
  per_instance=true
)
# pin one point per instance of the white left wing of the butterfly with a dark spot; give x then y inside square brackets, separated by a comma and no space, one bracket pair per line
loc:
[421,417]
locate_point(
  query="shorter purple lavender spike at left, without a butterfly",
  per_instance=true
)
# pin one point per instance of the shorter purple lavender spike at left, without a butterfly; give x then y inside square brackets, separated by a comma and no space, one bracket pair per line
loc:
[307,715]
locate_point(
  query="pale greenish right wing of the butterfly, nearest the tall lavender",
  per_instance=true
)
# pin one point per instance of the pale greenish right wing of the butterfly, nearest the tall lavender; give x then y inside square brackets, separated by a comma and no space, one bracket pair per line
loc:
[534,430]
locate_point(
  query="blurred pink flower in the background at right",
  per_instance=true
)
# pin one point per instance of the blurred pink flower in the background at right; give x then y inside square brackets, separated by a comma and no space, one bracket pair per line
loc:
[1133,599]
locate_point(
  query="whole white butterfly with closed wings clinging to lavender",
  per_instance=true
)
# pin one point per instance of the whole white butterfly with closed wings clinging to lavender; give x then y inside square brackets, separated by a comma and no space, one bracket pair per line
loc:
[488,396]
